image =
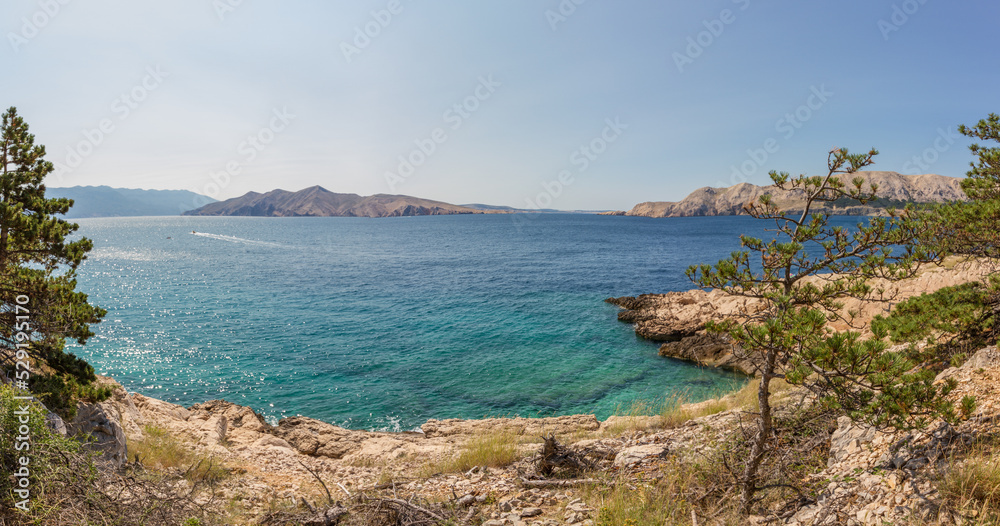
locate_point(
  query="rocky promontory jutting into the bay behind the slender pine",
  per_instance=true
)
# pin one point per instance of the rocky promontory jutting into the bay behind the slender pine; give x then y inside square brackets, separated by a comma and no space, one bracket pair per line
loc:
[678,318]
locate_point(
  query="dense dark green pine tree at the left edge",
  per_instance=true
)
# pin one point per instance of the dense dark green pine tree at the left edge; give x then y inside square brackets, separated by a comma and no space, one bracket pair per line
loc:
[39,303]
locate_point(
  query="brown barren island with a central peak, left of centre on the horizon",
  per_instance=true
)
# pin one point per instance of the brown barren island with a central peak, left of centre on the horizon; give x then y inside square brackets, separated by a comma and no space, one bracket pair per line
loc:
[317,201]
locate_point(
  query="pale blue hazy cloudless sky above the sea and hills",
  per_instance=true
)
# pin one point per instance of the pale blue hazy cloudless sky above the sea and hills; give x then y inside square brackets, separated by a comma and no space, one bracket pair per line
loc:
[571,104]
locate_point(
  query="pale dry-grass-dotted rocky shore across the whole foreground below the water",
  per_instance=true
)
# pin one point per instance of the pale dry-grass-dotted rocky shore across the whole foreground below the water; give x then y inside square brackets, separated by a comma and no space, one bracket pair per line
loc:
[868,477]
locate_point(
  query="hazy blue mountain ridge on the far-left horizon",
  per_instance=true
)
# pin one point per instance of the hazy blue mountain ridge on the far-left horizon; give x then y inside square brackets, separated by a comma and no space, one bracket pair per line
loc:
[105,201]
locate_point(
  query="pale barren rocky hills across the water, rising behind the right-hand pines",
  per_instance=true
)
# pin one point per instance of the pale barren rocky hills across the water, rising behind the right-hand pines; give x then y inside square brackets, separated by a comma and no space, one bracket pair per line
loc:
[894,190]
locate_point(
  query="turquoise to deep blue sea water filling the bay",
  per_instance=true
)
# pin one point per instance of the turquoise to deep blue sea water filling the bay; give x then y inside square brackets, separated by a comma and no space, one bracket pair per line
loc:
[385,323]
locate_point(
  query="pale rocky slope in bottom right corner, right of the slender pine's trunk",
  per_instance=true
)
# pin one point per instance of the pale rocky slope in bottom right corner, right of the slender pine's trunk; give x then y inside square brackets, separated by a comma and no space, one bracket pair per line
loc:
[882,477]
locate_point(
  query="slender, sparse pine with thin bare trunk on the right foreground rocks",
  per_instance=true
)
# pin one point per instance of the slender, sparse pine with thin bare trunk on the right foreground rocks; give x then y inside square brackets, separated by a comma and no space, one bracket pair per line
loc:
[799,279]
